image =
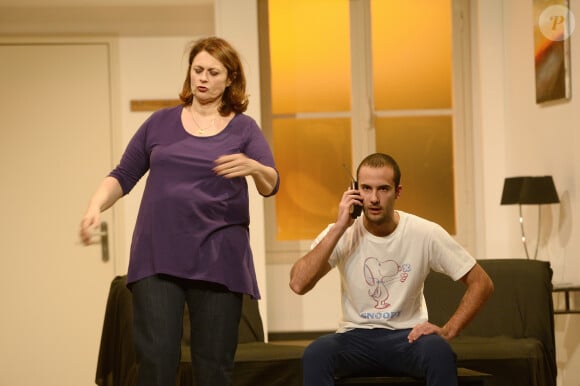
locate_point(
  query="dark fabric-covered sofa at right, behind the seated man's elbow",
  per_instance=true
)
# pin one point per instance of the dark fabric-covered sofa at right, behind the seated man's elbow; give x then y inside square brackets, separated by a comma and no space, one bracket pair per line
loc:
[512,338]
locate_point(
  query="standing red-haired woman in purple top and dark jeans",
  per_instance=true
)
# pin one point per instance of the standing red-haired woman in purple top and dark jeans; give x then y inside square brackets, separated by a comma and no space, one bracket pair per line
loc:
[191,241]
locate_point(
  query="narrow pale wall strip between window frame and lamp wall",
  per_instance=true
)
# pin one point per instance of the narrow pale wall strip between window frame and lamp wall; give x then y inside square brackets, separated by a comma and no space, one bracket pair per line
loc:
[489,126]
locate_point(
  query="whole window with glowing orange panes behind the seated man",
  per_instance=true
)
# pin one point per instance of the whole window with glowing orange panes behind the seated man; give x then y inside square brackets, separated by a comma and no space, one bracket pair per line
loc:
[347,78]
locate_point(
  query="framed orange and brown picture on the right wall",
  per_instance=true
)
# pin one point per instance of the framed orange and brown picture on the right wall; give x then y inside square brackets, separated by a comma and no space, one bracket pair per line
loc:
[553,26]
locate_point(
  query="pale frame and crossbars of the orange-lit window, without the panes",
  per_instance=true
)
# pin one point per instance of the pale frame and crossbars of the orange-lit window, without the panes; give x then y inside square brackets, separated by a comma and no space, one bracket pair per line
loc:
[362,117]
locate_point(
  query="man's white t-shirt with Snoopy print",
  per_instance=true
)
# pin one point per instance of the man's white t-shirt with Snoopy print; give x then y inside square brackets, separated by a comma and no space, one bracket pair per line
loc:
[382,277]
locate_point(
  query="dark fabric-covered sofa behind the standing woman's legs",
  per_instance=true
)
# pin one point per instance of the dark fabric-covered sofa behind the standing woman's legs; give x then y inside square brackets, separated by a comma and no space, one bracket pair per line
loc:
[257,363]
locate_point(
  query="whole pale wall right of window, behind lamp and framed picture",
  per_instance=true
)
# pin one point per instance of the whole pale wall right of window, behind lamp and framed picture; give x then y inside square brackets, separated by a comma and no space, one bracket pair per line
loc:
[519,137]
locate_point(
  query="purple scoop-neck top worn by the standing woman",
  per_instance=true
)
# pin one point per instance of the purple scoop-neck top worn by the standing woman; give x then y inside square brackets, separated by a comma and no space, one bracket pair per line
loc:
[192,223]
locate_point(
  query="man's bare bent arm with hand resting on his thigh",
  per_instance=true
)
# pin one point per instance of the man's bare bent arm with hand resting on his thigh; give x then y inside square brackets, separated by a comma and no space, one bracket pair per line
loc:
[479,289]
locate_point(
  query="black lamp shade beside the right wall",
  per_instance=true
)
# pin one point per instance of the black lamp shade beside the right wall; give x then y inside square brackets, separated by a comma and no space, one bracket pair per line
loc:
[529,190]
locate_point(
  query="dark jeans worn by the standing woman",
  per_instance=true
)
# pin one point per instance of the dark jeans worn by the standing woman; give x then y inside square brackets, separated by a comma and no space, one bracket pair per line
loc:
[158,304]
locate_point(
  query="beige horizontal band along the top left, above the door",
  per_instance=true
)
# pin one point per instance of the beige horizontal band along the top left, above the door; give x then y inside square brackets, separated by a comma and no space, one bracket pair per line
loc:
[117,17]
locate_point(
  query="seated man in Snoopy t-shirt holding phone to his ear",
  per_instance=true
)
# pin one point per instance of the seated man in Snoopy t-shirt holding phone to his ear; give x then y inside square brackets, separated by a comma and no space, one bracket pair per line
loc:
[383,258]
